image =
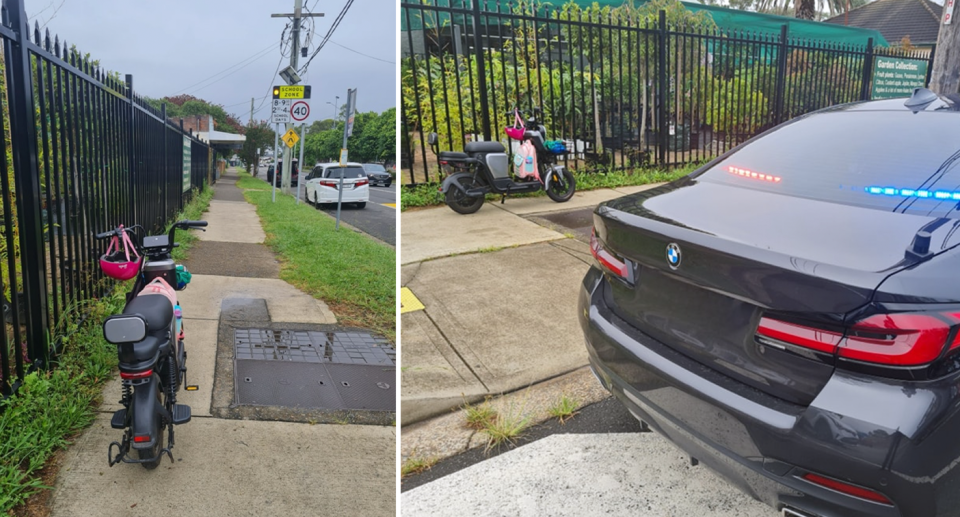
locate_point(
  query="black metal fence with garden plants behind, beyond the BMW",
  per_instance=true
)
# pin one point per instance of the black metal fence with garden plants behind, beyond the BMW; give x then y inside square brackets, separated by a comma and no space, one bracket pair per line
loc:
[623,88]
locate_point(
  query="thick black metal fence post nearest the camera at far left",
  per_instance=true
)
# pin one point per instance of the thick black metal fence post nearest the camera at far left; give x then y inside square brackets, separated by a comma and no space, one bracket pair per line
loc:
[26,168]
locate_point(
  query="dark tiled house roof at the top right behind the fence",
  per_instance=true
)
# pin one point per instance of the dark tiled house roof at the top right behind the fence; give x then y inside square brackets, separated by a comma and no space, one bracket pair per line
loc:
[918,19]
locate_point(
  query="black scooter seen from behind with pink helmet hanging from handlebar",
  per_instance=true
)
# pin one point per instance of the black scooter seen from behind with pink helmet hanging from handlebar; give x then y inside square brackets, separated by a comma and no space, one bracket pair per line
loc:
[151,355]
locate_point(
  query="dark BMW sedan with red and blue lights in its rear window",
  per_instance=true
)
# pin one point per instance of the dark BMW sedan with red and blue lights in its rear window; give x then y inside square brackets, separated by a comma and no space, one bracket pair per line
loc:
[789,314]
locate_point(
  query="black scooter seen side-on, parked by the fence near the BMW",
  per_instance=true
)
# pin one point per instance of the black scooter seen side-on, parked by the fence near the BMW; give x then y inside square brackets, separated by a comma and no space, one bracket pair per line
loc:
[484,168]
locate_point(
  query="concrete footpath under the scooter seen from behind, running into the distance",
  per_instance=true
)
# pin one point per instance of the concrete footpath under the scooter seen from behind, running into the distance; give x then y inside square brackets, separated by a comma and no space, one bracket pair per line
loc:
[229,467]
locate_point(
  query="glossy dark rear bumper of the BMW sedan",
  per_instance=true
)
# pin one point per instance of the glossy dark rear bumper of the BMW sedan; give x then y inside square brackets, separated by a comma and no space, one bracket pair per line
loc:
[898,439]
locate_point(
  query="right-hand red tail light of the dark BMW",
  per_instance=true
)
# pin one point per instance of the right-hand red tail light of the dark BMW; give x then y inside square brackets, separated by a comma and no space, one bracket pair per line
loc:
[898,339]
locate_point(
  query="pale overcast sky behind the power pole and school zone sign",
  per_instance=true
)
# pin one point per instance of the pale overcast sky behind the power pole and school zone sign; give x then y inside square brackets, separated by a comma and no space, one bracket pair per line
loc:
[169,45]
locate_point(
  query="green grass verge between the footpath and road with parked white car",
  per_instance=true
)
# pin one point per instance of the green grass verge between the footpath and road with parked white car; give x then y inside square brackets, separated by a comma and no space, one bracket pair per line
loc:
[352,273]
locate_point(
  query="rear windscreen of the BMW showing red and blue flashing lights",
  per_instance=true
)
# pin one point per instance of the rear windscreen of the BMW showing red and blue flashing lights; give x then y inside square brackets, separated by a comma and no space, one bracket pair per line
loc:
[903,161]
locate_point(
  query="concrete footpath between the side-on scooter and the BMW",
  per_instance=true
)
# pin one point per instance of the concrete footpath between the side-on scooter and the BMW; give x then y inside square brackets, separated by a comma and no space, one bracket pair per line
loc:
[499,293]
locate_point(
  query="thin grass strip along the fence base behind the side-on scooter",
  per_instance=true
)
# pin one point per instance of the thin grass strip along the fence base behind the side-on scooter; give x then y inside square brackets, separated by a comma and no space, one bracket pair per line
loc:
[426,194]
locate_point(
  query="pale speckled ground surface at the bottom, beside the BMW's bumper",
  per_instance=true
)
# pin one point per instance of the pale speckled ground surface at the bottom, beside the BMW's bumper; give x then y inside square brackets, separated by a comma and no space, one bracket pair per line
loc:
[634,474]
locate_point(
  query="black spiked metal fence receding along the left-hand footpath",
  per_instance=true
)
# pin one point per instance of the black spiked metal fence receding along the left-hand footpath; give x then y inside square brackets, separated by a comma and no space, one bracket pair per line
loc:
[82,154]
